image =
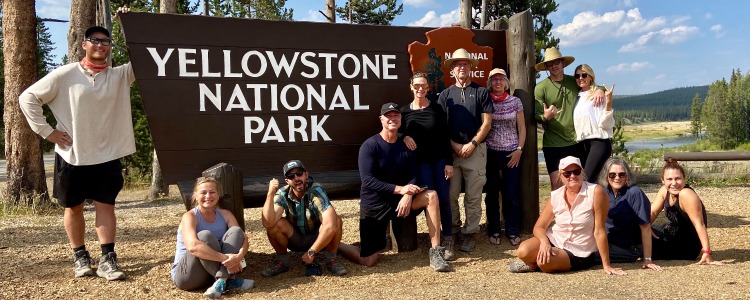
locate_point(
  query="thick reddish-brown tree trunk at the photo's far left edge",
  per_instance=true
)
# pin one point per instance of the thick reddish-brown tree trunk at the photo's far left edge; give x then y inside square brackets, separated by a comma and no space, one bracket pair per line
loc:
[23,149]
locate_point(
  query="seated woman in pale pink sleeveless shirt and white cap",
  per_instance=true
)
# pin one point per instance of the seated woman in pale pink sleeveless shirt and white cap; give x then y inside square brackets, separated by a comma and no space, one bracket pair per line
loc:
[579,210]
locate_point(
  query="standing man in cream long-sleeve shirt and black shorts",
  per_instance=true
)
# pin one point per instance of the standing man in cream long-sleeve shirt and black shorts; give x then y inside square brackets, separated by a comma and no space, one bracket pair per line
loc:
[91,103]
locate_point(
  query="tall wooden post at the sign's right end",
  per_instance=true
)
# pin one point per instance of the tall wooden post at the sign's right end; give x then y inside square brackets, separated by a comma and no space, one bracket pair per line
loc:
[521,56]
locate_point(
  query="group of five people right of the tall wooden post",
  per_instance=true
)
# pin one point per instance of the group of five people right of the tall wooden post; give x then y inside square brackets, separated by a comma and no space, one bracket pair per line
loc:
[610,221]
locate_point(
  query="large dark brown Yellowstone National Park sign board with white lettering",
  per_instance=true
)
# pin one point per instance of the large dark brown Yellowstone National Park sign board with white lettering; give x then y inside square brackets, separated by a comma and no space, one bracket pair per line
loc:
[255,93]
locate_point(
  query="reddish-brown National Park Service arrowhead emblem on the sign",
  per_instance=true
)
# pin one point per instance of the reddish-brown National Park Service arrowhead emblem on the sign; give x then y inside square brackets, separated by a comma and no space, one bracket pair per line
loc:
[441,43]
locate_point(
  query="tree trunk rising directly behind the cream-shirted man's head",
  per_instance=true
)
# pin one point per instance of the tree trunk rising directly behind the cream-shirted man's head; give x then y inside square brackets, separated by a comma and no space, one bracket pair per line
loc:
[82,16]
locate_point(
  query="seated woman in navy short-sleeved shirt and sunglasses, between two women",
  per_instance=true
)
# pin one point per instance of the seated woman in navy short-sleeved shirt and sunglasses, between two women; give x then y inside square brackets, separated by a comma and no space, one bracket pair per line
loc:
[629,217]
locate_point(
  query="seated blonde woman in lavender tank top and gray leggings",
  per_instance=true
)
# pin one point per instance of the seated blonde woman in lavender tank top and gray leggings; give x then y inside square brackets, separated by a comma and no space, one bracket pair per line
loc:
[210,245]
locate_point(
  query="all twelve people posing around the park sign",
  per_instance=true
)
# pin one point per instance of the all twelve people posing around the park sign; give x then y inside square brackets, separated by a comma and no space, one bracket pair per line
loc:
[424,155]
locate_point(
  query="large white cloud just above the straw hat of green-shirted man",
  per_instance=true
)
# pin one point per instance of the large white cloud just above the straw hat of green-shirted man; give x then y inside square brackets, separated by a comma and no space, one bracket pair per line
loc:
[588,27]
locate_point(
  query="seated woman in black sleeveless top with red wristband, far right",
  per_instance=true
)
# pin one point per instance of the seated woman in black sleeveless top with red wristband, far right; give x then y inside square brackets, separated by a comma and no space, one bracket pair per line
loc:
[686,234]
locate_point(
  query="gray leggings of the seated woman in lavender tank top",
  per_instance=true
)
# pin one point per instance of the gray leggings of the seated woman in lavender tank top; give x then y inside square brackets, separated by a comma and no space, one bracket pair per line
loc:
[194,273]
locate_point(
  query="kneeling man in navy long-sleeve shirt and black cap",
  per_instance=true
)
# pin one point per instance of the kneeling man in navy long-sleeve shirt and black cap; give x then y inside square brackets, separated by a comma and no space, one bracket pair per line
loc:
[387,169]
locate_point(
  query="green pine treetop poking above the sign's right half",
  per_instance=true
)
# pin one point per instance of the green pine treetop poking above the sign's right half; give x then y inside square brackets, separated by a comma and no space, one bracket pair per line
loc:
[373,12]
